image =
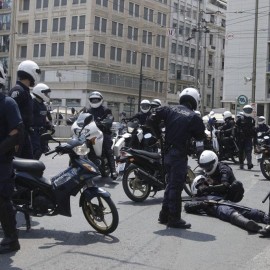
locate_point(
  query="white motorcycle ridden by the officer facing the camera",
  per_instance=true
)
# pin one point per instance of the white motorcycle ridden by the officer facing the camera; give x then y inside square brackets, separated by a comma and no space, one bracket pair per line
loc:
[94,138]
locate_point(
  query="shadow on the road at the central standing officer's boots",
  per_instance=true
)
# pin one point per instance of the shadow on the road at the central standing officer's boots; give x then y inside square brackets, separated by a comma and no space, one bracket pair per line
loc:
[186,234]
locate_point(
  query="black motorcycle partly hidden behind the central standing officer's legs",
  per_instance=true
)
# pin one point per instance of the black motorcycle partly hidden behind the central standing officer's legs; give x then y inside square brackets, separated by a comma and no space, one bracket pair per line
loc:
[144,173]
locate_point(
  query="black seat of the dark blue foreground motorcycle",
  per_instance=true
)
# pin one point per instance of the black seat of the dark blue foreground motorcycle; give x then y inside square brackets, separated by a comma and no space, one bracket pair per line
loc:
[28,165]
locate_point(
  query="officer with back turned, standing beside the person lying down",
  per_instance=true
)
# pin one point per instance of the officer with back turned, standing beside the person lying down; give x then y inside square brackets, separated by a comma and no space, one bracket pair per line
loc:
[181,123]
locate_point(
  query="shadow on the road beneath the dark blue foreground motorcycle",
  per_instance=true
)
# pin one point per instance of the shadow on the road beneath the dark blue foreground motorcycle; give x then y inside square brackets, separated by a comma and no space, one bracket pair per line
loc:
[56,238]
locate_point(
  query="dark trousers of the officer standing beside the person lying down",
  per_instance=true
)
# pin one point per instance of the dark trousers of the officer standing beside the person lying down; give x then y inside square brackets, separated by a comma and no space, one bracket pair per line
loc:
[176,167]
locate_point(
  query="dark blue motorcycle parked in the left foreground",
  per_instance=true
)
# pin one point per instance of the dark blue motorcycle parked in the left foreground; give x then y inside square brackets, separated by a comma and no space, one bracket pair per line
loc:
[38,196]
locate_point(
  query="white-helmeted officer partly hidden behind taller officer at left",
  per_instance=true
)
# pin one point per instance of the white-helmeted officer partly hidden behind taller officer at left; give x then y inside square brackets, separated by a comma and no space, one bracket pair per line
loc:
[41,94]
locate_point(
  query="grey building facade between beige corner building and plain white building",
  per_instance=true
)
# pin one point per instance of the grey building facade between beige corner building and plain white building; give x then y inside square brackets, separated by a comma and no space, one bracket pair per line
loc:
[196,50]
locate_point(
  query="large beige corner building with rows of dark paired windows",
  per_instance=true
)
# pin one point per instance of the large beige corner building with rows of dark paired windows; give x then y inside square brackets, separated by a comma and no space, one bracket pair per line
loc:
[95,45]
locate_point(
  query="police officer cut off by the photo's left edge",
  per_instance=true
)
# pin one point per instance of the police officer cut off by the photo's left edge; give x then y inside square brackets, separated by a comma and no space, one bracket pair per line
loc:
[11,129]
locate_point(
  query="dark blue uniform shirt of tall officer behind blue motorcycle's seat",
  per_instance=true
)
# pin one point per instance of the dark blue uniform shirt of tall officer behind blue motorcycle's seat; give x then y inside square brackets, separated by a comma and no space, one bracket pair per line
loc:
[21,94]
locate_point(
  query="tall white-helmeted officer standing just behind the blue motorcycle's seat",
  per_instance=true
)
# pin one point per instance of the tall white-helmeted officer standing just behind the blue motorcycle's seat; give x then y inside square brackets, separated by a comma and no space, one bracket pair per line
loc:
[28,74]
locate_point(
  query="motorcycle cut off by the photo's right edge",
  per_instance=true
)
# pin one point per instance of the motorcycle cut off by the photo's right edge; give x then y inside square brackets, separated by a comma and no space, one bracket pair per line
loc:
[262,152]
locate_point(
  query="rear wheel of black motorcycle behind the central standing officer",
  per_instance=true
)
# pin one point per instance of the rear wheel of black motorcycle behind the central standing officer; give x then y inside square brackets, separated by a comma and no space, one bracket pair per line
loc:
[136,189]
